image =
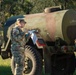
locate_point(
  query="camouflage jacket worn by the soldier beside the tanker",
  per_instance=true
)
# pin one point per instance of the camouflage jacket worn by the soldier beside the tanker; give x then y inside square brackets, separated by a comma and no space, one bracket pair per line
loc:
[18,36]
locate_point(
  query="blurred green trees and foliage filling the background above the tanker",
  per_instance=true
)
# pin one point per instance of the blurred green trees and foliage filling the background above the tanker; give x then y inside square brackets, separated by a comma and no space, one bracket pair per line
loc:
[19,7]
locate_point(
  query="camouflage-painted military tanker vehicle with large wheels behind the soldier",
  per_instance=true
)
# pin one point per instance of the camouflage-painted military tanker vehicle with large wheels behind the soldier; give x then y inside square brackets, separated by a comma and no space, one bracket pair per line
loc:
[52,24]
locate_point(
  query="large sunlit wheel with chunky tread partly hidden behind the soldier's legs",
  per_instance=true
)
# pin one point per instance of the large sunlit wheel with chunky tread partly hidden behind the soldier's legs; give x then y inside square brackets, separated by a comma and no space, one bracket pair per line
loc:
[33,62]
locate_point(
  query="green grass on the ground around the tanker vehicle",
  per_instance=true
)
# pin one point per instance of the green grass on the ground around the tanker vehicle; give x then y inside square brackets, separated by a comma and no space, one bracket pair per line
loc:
[5,68]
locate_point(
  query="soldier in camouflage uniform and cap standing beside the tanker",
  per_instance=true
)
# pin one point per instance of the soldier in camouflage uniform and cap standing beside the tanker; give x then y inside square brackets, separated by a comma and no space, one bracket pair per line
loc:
[17,47]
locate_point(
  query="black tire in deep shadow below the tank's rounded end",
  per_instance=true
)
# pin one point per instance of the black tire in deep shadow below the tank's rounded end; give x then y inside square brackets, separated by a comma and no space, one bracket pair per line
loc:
[63,64]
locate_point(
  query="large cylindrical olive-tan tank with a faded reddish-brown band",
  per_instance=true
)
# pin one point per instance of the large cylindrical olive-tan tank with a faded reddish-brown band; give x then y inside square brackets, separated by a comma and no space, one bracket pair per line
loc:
[60,24]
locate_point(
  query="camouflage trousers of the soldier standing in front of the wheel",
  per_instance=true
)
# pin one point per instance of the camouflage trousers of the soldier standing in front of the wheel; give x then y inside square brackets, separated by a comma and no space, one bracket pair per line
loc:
[19,58]
